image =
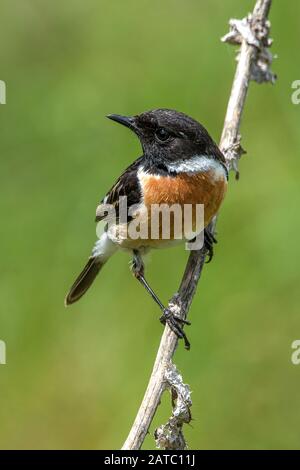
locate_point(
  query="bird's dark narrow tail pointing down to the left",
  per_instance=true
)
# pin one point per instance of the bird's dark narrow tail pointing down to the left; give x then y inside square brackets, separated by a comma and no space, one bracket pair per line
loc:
[84,280]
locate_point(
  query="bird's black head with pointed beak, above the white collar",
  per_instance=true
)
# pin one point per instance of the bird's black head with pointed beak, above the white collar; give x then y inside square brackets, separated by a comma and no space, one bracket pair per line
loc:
[169,135]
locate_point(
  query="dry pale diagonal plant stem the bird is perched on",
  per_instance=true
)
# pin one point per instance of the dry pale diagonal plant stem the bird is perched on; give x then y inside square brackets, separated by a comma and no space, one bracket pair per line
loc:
[254,60]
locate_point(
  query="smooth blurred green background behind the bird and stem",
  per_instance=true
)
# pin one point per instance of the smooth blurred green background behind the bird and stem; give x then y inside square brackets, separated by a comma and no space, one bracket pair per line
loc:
[75,377]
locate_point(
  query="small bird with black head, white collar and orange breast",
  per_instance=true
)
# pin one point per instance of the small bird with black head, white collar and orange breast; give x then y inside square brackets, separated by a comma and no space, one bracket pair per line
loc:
[180,164]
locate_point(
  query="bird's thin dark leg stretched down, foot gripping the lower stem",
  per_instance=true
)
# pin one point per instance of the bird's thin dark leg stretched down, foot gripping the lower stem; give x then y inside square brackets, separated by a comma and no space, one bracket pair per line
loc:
[175,323]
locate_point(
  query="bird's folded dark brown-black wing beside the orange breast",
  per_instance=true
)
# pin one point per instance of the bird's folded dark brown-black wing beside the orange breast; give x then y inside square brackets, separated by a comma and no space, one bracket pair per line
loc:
[127,185]
